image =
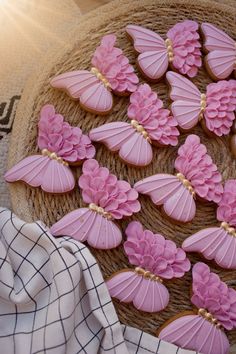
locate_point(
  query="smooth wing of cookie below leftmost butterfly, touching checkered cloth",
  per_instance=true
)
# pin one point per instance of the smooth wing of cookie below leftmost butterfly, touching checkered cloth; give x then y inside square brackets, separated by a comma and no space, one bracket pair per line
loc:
[86,225]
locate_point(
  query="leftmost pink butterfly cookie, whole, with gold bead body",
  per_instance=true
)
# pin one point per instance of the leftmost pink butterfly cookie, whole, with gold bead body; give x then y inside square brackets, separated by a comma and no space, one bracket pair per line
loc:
[61,145]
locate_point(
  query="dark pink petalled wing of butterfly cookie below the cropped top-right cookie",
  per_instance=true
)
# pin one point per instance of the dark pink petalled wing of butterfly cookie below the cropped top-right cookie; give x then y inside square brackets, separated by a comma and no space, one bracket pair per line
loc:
[221,104]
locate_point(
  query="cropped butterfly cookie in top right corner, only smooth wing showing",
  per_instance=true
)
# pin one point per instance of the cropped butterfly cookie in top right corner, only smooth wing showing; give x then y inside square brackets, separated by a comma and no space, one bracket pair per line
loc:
[221,58]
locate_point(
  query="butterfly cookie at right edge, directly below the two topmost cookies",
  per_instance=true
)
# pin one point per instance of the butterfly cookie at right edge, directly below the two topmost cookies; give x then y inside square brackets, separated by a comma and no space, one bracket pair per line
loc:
[215,108]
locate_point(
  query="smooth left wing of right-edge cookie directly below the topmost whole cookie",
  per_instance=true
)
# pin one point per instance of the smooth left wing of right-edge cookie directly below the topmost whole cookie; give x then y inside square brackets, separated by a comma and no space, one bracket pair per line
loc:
[186,107]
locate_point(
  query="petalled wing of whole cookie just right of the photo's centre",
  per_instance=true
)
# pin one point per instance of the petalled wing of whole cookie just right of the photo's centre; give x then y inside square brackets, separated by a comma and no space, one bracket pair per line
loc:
[197,166]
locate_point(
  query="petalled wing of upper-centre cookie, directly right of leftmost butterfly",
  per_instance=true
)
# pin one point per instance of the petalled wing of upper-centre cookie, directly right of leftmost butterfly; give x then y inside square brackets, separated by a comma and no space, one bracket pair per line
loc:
[146,108]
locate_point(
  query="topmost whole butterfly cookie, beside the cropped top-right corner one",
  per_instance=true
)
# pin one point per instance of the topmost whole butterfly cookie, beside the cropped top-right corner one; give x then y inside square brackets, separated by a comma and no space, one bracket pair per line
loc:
[181,50]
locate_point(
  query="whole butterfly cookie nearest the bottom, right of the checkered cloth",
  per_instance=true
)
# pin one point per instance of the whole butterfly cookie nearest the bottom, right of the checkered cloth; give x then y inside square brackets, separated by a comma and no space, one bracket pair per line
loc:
[155,259]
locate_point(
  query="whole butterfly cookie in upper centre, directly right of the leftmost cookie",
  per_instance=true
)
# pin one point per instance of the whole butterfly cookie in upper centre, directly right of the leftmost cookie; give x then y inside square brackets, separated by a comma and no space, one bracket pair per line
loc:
[150,123]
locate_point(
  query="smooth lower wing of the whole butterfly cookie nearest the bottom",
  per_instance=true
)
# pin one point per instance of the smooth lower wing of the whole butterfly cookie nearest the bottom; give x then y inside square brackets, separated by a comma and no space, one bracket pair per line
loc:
[145,294]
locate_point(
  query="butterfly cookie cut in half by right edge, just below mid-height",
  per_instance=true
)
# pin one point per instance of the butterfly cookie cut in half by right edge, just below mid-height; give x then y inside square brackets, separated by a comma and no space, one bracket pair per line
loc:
[219,243]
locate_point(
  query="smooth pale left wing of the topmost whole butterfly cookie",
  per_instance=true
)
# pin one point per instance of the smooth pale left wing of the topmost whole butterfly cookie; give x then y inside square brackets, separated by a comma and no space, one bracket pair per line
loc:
[153,60]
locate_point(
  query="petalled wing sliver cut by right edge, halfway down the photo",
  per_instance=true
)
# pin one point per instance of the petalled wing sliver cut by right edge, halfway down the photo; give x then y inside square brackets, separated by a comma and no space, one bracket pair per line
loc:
[226,210]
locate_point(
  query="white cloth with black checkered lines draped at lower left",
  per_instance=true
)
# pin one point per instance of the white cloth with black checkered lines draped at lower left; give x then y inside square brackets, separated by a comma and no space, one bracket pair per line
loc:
[53,298]
